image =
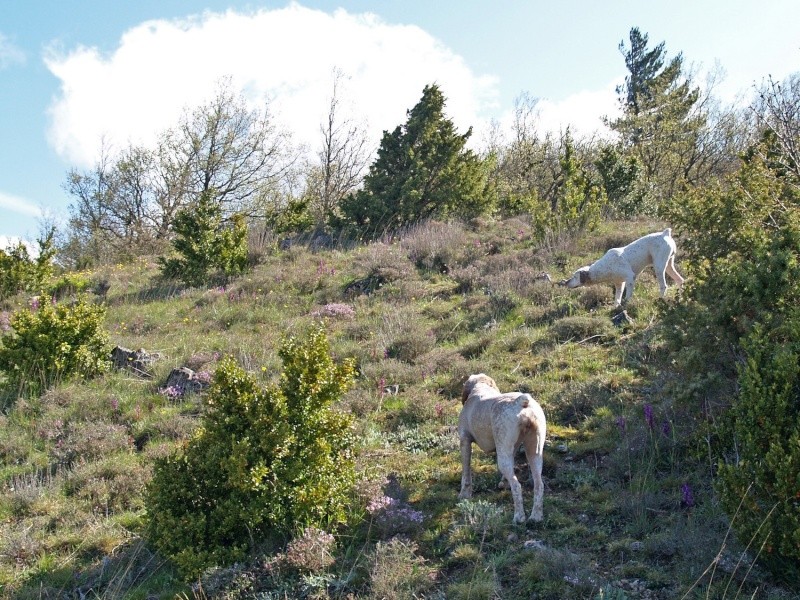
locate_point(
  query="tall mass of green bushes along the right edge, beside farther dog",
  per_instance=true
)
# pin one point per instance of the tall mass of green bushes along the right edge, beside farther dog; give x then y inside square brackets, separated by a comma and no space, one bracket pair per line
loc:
[737,328]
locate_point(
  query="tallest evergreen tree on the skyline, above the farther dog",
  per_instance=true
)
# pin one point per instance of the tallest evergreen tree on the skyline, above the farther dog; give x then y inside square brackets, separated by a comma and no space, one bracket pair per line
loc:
[660,125]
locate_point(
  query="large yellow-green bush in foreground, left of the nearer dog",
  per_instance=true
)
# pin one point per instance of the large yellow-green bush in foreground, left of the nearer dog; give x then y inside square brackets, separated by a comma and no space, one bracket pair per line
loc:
[266,461]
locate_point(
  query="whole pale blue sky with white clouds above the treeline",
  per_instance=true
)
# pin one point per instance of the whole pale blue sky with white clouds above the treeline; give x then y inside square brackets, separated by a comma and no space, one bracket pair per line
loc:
[73,73]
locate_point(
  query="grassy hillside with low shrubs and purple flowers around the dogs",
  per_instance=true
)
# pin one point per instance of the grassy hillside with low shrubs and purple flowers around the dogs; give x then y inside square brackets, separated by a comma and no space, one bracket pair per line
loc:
[629,508]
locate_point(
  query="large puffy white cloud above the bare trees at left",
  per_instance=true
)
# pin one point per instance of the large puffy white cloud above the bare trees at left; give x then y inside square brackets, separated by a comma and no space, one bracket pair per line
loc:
[288,55]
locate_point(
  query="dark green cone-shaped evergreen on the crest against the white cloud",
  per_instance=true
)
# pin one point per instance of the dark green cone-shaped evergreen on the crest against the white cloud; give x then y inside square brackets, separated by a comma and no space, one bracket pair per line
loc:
[423,170]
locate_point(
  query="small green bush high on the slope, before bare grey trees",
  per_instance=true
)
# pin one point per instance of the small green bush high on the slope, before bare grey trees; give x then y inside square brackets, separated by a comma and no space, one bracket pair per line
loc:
[206,244]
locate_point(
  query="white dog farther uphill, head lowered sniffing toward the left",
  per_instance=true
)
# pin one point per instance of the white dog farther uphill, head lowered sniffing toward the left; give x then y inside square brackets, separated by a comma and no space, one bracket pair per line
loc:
[620,266]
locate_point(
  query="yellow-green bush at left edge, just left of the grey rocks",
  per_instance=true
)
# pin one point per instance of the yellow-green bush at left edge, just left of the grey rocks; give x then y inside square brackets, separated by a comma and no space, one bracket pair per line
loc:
[54,342]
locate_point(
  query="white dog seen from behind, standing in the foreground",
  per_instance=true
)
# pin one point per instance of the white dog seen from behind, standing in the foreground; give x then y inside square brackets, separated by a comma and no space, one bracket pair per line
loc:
[500,423]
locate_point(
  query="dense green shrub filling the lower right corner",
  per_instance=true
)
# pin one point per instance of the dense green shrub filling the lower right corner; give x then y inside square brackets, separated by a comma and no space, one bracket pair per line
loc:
[764,478]
